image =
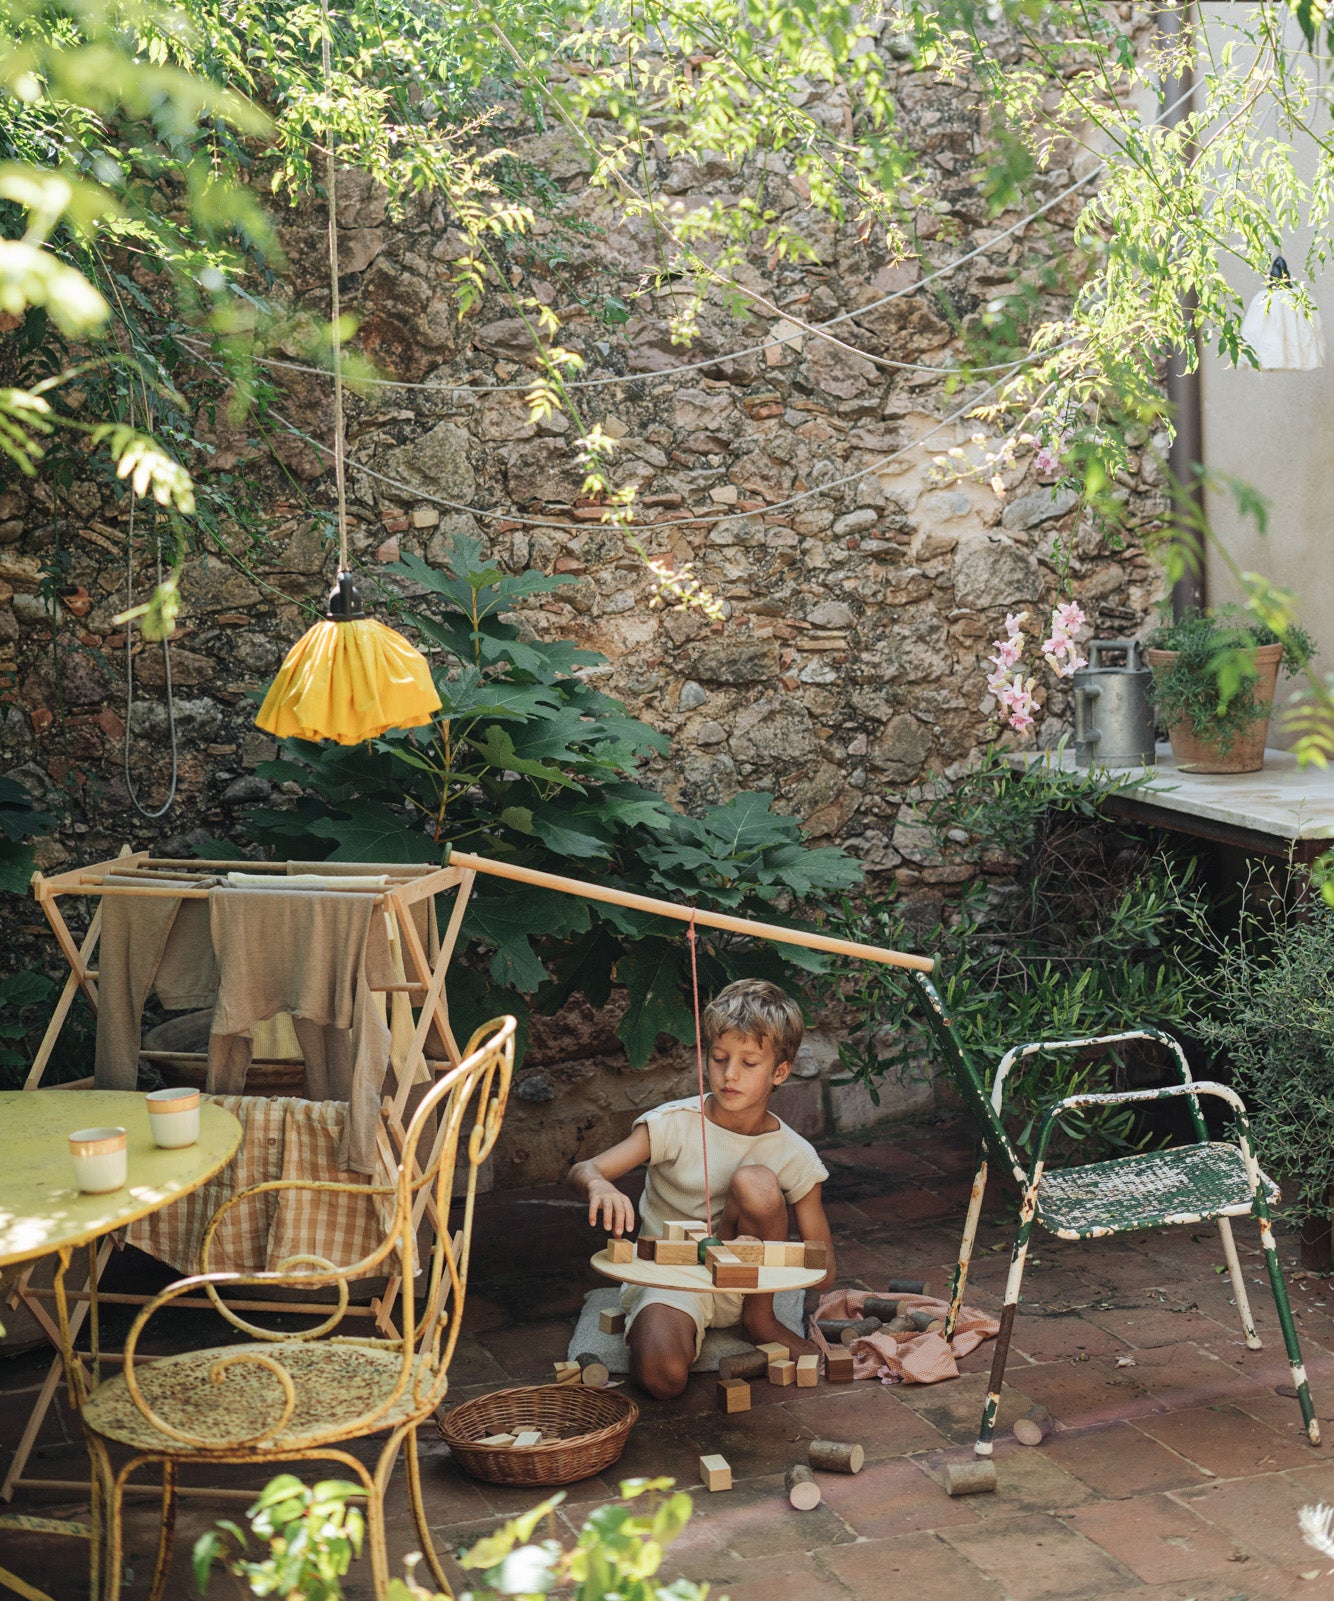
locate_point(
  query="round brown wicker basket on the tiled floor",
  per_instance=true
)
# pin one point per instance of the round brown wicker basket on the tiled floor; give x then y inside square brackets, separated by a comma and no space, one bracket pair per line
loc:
[593,1427]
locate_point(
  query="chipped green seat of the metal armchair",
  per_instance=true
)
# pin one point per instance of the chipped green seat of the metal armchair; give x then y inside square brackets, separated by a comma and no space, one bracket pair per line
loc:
[1183,1186]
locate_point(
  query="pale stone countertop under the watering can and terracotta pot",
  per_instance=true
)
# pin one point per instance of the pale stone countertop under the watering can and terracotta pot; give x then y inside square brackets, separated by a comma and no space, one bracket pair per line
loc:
[1284,800]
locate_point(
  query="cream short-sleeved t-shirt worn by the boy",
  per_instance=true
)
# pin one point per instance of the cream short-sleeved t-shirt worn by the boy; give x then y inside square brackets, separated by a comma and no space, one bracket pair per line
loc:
[675,1187]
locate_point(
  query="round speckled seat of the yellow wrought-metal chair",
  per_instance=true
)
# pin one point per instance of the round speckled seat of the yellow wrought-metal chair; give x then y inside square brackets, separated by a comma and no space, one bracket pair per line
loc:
[337,1386]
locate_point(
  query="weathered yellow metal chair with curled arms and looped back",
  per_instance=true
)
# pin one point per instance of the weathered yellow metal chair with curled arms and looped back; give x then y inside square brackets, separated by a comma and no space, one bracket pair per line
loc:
[283,1397]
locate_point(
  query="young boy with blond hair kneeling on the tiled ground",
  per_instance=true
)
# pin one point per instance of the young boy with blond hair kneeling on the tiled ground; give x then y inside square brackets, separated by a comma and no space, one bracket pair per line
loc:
[758,1168]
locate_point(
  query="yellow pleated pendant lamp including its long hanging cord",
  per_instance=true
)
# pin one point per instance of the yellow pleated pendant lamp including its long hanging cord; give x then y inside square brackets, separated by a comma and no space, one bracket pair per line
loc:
[350,678]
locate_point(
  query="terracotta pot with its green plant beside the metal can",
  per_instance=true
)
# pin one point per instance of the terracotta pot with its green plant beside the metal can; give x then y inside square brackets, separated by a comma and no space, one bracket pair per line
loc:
[1215,680]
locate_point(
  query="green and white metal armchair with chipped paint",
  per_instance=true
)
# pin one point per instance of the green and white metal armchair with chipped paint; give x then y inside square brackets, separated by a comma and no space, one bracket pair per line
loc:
[1189,1184]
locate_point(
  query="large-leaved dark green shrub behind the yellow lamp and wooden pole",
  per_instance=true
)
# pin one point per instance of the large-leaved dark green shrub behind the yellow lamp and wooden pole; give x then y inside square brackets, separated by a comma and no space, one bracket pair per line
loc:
[531,764]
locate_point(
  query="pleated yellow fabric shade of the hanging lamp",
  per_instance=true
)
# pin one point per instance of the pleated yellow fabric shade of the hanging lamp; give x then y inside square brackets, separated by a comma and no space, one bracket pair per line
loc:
[350,681]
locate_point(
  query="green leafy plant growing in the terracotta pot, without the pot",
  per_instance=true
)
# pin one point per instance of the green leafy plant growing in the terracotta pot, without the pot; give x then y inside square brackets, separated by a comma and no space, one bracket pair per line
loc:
[1213,683]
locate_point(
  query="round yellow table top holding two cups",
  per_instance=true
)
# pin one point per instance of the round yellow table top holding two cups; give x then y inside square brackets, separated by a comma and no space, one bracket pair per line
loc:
[41,1206]
